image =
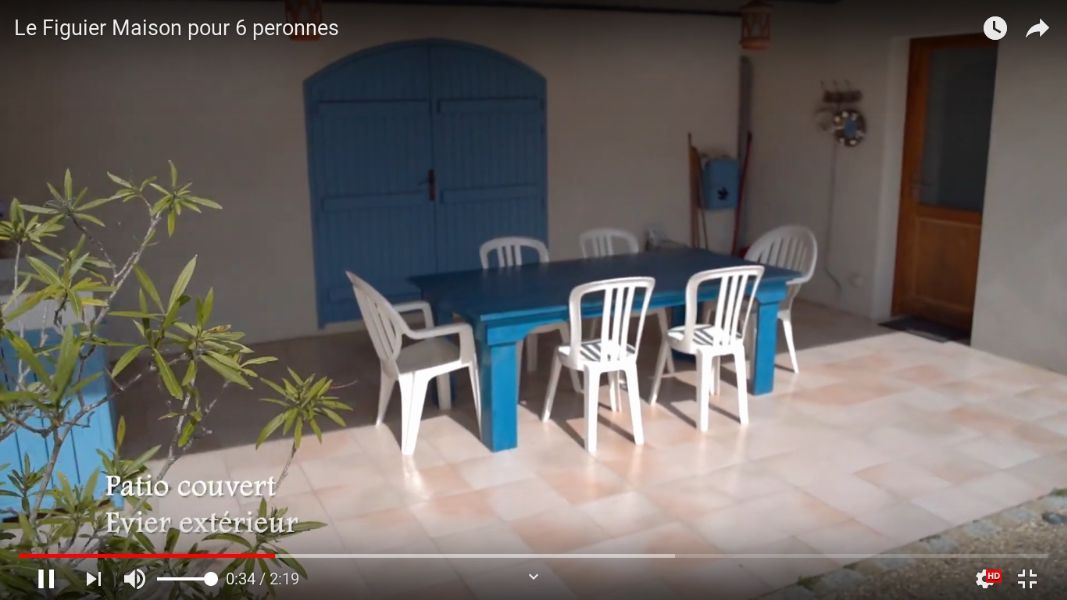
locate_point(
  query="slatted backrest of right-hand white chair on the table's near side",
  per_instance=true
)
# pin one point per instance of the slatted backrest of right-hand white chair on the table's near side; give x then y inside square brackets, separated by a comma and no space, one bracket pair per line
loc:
[731,308]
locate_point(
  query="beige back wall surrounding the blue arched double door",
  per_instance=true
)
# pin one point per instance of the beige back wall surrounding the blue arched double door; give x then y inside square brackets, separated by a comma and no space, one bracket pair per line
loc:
[624,92]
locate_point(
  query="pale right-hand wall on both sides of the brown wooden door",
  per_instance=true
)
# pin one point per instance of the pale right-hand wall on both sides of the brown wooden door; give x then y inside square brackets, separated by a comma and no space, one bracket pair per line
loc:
[867,43]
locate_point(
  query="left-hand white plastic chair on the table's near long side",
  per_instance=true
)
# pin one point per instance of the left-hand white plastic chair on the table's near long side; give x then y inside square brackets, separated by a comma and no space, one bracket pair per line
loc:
[610,352]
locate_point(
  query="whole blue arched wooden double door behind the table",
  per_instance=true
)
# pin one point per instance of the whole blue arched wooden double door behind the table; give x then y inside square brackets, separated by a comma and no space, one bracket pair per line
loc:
[418,153]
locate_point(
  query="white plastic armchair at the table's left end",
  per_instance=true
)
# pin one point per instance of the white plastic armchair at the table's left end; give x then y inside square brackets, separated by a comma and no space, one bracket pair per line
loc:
[415,366]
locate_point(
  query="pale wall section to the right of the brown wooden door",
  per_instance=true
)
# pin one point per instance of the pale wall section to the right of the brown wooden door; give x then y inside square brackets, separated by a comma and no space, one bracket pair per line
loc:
[1021,309]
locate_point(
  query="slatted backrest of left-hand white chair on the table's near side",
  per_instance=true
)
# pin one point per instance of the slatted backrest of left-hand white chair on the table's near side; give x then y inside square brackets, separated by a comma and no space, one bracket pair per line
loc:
[619,297]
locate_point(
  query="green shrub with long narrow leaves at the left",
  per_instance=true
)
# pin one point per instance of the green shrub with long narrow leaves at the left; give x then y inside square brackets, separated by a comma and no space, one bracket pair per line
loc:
[65,272]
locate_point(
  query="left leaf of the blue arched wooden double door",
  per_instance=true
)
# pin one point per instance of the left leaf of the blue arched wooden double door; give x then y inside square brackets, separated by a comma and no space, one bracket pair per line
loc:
[371,156]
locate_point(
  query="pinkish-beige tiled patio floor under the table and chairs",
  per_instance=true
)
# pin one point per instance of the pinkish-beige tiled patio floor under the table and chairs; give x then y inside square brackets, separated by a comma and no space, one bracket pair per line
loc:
[884,438]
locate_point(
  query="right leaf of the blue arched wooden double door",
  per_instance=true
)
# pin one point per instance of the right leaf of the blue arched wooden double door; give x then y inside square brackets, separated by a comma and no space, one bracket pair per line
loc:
[489,147]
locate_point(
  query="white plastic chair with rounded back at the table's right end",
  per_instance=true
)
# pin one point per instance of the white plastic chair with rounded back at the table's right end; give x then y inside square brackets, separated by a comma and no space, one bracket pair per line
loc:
[789,247]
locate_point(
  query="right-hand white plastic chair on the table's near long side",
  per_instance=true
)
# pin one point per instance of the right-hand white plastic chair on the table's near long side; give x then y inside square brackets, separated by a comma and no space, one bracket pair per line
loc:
[709,342]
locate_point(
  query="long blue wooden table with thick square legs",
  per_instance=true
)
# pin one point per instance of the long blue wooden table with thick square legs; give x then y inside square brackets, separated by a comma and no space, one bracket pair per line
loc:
[504,306]
